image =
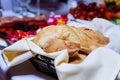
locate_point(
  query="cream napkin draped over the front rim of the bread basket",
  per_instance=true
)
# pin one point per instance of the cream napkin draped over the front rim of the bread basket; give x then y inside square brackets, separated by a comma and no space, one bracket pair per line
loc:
[100,64]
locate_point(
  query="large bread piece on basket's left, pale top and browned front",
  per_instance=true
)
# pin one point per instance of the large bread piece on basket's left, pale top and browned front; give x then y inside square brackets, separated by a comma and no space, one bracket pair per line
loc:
[56,38]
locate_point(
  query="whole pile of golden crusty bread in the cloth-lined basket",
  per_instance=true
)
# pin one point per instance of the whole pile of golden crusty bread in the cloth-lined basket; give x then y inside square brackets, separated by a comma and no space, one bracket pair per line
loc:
[76,40]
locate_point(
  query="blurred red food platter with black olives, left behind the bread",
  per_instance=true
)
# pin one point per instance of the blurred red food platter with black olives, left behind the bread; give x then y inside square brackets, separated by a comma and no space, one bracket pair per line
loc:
[17,30]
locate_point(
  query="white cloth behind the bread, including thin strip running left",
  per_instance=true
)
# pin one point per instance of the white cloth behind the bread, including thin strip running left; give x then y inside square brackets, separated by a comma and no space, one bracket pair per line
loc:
[106,27]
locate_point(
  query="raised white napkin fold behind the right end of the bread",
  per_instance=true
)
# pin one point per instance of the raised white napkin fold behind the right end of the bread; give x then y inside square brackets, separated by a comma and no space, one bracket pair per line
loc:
[110,30]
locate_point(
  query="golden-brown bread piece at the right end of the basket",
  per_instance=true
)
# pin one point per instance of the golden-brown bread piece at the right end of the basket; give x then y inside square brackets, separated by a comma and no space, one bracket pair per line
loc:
[90,39]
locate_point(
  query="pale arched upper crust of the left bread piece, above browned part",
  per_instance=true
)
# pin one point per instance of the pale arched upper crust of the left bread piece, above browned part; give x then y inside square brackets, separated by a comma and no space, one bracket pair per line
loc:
[60,32]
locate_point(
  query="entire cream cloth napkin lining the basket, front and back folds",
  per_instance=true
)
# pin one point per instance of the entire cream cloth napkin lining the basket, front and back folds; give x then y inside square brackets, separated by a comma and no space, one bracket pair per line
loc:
[101,64]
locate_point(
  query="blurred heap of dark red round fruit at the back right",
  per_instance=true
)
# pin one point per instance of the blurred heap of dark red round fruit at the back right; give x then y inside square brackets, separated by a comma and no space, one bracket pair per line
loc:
[90,11]
